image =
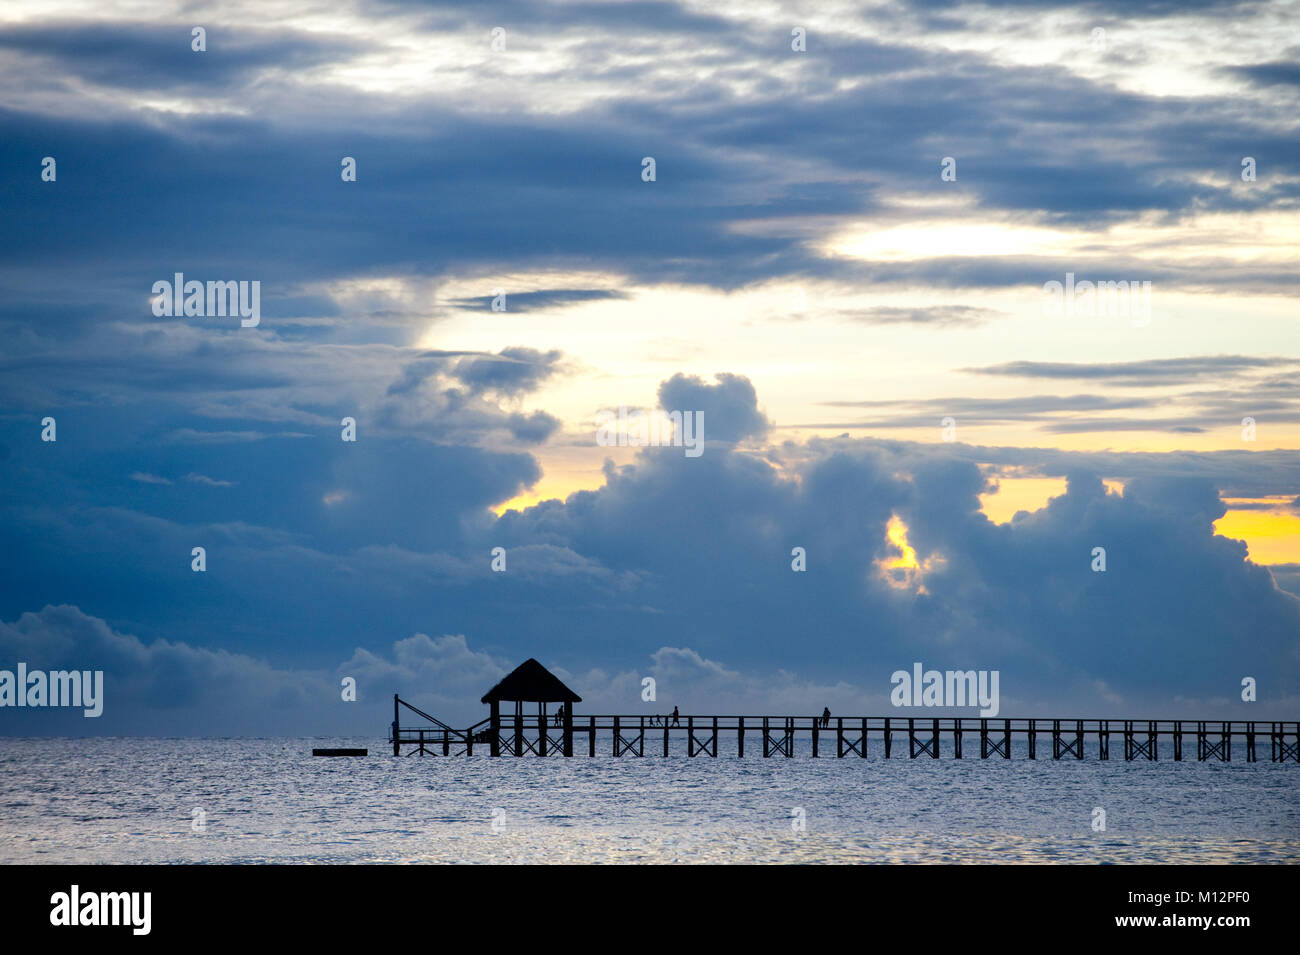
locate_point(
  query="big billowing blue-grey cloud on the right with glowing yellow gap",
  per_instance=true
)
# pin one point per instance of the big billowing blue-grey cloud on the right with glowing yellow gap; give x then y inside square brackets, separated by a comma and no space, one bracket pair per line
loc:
[1021,594]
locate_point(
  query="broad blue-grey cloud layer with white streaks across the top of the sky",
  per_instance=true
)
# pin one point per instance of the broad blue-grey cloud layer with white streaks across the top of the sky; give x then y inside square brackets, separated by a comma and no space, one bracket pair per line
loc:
[166,125]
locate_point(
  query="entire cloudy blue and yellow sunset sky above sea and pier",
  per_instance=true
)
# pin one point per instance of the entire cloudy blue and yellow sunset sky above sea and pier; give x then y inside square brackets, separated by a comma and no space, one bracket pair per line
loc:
[829,232]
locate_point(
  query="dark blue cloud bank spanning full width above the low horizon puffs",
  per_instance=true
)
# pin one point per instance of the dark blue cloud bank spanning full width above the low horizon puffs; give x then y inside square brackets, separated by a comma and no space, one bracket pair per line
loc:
[317,535]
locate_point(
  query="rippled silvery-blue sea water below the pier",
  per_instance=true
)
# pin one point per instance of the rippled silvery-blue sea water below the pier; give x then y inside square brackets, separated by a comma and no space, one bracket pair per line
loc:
[135,801]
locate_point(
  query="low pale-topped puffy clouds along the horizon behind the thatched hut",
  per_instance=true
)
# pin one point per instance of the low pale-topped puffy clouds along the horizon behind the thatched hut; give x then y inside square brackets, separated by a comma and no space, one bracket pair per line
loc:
[177,689]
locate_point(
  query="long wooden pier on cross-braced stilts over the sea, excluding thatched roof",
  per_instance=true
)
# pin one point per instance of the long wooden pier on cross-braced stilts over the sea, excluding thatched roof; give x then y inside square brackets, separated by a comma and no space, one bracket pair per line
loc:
[622,735]
